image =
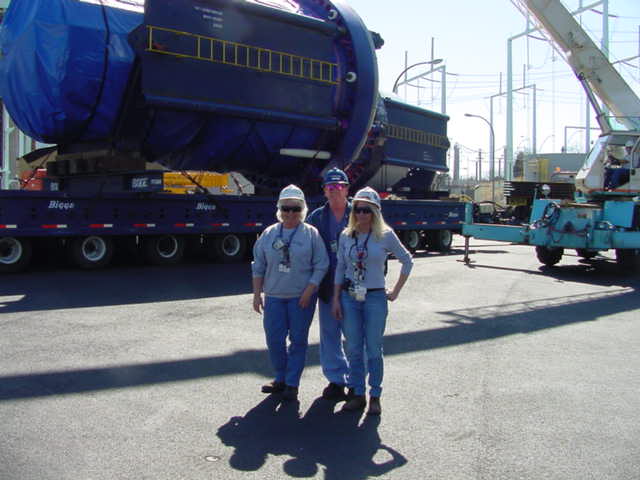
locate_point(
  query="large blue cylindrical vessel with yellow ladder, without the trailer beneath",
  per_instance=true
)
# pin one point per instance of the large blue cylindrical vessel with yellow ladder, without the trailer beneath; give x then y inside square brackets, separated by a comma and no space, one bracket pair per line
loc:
[275,89]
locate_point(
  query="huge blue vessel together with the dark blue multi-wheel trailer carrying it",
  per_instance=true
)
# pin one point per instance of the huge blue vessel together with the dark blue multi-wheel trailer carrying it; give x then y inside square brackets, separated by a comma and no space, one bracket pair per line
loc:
[278,90]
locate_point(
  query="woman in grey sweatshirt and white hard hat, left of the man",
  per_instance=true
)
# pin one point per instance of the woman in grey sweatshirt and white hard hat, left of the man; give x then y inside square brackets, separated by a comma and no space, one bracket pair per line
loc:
[289,263]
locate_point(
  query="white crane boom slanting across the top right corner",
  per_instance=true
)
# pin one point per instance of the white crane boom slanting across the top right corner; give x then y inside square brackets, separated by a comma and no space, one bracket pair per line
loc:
[591,66]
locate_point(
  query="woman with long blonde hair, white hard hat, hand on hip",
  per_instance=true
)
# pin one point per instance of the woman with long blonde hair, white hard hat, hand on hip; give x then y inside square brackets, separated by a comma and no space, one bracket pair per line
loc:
[360,298]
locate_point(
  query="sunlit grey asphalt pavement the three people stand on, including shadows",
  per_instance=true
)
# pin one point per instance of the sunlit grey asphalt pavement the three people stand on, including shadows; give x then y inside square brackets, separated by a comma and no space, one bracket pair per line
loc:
[502,369]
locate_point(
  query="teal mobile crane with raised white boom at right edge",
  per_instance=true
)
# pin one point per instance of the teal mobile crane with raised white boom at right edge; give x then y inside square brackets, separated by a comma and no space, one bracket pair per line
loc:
[605,213]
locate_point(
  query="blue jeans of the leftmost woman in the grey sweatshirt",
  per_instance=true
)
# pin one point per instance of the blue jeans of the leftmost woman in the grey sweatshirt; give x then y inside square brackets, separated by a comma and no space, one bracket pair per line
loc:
[284,317]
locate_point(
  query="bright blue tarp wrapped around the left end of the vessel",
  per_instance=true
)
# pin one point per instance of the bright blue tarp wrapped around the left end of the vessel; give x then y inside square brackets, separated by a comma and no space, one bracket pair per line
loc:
[64,67]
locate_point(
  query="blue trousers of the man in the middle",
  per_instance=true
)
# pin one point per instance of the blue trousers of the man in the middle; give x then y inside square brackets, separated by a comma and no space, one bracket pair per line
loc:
[332,358]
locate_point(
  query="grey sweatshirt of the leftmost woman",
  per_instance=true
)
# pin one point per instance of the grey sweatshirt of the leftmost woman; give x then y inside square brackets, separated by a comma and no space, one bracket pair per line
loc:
[308,260]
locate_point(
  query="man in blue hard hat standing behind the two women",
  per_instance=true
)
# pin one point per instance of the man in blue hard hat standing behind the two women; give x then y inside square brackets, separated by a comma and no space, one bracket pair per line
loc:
[330,220]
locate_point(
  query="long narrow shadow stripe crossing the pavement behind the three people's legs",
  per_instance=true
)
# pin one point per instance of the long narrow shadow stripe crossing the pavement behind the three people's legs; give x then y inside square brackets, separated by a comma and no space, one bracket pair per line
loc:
[461,327]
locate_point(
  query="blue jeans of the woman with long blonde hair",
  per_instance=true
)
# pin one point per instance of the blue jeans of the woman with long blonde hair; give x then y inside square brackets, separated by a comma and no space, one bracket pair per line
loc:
[363,326]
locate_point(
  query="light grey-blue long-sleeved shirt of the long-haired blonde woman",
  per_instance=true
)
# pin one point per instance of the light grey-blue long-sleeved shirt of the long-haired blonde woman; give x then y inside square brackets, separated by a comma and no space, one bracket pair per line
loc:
[376,254]
